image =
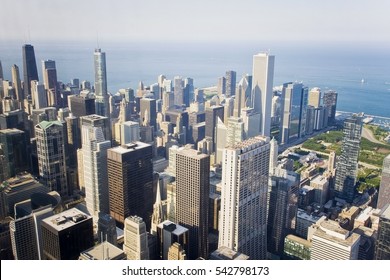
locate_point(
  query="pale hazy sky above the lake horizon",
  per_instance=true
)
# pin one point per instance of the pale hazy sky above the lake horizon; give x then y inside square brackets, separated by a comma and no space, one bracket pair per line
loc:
[197,20]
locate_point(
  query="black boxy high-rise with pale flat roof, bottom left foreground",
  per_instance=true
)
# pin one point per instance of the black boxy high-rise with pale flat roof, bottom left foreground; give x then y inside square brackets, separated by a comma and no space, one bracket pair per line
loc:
[66,235]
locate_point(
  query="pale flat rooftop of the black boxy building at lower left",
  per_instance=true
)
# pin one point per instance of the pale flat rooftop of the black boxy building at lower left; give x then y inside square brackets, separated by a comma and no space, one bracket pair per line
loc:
[66,219]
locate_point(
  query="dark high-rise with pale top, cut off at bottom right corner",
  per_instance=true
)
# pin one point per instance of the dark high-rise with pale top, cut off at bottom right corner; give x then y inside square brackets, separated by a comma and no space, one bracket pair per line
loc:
[382,246]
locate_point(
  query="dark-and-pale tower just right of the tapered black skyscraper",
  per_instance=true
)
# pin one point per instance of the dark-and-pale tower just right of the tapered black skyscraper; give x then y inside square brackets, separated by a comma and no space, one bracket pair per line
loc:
[49,73]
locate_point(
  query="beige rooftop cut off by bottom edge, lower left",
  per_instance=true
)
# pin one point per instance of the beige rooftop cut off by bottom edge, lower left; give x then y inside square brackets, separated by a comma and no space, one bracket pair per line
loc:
[103,251]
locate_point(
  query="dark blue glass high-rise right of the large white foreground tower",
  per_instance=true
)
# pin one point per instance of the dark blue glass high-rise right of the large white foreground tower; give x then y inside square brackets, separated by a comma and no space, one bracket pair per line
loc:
[283,205]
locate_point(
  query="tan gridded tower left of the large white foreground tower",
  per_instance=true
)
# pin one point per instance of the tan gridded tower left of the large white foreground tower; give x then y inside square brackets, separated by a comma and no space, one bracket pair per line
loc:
[192,198]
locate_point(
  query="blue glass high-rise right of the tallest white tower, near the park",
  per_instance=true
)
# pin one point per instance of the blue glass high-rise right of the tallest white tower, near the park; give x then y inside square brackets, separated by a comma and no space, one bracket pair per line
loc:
[294,109]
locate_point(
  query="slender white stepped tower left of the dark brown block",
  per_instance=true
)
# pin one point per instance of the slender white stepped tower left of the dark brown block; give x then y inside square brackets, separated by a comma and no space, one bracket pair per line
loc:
[94,148]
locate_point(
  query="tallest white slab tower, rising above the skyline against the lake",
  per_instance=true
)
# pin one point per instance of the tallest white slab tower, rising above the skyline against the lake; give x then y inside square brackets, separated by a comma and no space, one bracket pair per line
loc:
[262,83]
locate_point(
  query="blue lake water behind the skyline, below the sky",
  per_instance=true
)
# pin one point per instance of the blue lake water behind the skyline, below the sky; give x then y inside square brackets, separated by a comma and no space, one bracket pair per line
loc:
[337,67]
